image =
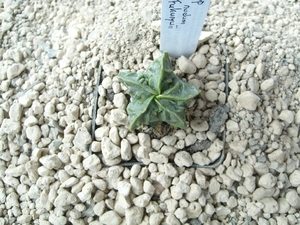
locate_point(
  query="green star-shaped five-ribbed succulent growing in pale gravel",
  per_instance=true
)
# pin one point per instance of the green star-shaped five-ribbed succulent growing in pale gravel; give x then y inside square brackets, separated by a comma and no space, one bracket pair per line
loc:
[157,95]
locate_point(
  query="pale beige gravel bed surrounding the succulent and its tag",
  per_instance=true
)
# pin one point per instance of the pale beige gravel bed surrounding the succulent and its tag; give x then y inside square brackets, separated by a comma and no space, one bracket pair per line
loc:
[68,159]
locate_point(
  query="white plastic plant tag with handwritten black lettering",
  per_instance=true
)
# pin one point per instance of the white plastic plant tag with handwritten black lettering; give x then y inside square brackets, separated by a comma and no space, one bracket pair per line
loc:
[181,25]
